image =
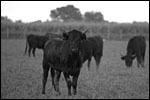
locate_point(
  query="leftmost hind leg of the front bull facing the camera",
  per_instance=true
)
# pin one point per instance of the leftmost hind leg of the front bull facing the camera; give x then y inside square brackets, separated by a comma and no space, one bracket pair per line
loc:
[45,75]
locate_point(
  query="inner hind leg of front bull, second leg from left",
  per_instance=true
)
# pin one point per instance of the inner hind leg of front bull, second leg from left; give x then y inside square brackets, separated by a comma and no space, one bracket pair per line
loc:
[56,81]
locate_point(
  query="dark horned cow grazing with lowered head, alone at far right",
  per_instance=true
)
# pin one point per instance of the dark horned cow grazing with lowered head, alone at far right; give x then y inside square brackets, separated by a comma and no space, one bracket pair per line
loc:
[136,48]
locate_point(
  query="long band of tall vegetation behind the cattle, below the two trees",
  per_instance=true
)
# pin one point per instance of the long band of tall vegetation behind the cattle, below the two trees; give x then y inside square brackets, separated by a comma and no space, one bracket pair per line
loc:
[113,30]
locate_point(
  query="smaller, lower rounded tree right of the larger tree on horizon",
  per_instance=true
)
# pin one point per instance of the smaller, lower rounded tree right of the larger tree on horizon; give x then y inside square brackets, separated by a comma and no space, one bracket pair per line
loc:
[94,16]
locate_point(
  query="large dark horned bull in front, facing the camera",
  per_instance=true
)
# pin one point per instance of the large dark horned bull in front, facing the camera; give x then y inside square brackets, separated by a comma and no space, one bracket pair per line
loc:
[63,56]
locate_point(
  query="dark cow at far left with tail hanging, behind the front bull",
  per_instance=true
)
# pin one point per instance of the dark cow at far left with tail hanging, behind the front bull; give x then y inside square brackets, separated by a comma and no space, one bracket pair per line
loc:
[35,41]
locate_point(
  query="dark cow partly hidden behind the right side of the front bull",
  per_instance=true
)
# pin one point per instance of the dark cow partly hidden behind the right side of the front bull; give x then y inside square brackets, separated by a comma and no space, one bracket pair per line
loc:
[92,46]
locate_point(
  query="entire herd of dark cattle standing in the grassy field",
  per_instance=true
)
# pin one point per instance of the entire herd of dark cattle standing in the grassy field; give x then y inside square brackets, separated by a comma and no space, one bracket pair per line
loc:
[67,52]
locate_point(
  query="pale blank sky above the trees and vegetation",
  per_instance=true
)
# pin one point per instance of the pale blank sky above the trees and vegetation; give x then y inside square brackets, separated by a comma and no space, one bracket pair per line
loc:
[113,11]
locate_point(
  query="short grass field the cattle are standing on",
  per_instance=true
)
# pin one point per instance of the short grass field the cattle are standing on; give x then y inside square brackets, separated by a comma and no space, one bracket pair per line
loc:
[21,76]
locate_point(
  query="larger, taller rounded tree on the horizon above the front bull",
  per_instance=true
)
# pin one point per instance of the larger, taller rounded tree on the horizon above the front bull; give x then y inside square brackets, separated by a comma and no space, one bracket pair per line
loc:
[68,13]
